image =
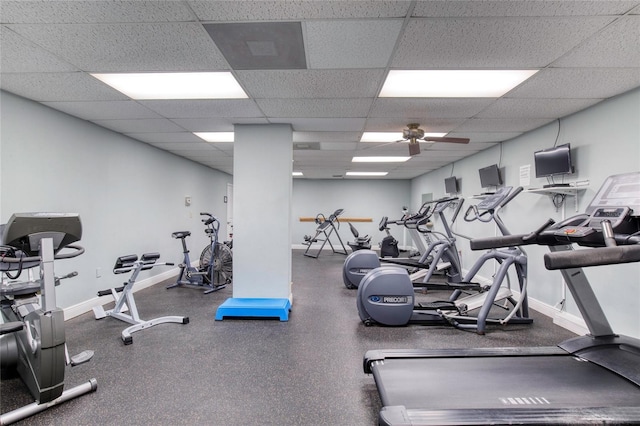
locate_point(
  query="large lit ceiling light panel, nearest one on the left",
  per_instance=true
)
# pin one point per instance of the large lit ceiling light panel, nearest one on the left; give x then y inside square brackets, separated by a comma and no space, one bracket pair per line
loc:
[198,85]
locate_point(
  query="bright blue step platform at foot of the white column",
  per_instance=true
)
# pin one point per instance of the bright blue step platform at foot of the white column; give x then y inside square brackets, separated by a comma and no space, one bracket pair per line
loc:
[254,308]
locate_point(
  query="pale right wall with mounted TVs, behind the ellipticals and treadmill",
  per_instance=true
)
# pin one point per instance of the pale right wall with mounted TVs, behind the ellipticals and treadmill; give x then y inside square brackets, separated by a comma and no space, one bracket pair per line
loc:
[605,140]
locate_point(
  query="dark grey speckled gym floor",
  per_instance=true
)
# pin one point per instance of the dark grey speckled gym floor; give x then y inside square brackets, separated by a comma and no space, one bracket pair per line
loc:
[307,371]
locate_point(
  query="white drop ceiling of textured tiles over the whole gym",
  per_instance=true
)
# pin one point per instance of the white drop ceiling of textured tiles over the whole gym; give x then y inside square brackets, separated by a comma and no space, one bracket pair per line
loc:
[327,88]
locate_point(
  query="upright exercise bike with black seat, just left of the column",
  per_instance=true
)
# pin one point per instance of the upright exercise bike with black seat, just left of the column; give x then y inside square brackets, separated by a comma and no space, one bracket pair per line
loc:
[215,270]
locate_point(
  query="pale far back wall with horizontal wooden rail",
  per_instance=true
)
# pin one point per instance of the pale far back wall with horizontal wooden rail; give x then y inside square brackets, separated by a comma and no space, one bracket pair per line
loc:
[359,199]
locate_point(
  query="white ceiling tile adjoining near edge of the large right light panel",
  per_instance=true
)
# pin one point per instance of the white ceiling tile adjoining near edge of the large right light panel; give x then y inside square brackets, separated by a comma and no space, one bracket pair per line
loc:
[491,42]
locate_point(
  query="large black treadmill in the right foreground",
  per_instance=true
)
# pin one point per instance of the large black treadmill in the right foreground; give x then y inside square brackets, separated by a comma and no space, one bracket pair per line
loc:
[593,379]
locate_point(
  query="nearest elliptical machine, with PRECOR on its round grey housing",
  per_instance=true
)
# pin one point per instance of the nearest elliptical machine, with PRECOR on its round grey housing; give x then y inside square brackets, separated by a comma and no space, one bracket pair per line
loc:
[386,294]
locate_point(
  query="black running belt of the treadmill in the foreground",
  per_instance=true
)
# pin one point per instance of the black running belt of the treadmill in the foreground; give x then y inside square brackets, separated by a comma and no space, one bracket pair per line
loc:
[546,382]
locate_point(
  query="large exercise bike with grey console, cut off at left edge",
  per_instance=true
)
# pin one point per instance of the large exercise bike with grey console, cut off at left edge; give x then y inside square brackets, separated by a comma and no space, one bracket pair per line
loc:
[32,334]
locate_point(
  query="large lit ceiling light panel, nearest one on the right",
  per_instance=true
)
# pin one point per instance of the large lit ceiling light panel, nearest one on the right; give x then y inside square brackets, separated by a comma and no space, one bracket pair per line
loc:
[452,83]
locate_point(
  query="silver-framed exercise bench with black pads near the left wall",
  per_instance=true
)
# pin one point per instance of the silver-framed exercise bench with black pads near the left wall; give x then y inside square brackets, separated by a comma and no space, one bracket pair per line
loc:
[125,301]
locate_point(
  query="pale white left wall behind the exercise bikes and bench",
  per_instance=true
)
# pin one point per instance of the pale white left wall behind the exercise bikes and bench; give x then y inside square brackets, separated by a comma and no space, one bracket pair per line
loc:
[130,195]
